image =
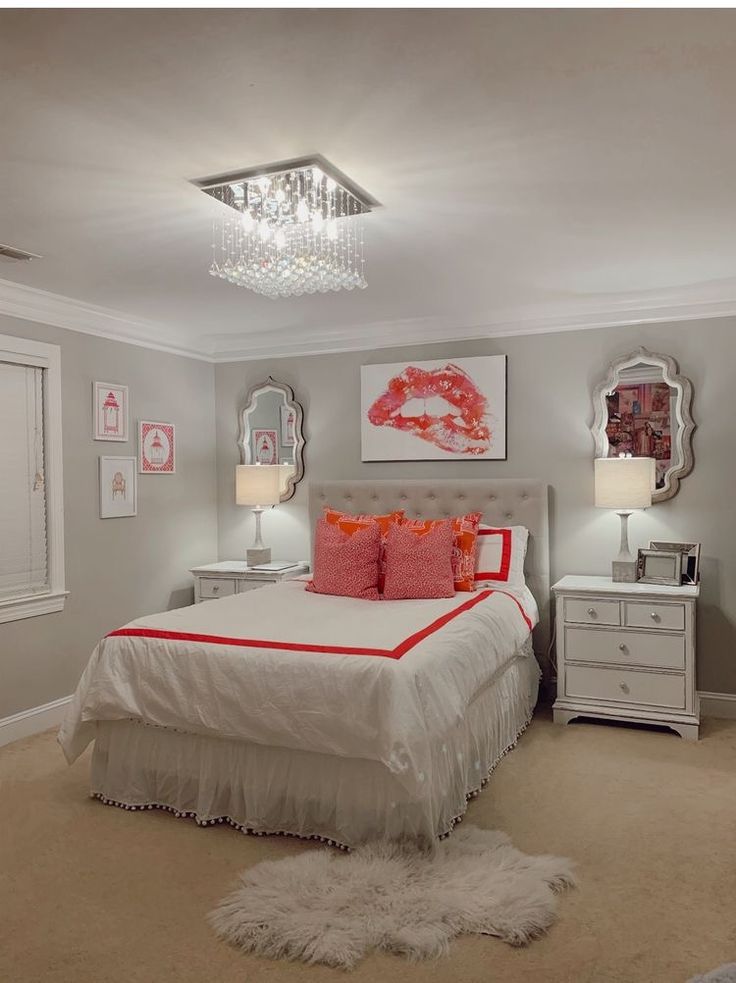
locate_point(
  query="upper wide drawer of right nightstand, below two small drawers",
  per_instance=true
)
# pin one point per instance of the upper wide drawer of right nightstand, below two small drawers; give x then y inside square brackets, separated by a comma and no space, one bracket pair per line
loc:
[627,648]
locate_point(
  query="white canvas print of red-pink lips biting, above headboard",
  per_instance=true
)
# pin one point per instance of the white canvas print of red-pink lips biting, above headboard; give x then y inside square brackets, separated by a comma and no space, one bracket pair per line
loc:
[447,409]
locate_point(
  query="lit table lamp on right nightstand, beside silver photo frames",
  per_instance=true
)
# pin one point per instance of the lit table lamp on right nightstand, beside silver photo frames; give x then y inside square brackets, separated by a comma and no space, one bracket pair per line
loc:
[624,484]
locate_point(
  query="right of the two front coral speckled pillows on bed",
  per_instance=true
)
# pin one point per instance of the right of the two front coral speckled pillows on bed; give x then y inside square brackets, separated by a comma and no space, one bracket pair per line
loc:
[419,562]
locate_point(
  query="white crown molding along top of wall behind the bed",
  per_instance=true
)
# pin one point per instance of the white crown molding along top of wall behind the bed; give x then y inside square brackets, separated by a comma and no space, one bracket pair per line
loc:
[427,331]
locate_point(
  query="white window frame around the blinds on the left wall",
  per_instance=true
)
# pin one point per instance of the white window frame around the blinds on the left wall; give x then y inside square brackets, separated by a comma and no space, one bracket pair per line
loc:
[48,357]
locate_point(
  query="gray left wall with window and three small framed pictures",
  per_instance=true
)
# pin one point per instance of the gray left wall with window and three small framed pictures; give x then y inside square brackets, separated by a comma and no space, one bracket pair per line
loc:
[116,569]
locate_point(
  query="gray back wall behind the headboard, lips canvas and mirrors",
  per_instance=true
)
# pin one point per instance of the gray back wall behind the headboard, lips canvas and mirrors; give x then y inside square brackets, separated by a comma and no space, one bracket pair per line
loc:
[551,377]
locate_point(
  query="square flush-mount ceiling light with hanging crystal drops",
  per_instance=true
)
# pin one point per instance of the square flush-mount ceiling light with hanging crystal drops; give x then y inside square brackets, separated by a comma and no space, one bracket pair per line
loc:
[291,228]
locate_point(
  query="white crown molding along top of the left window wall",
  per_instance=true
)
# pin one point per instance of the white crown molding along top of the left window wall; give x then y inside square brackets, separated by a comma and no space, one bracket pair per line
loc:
[31,304]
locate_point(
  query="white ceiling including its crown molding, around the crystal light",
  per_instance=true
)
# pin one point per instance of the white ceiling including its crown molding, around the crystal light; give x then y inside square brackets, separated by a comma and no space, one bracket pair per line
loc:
[537,169]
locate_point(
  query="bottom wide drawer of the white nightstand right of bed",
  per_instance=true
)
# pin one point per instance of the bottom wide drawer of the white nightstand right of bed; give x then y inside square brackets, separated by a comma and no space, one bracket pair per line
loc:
[625,686]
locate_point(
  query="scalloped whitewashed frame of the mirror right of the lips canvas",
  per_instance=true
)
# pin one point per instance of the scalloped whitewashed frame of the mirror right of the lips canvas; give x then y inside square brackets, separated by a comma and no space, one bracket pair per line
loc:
[682,448]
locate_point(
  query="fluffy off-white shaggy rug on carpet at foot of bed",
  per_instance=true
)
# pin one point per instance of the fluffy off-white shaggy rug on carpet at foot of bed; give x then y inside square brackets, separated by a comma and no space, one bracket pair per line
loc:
[332,908]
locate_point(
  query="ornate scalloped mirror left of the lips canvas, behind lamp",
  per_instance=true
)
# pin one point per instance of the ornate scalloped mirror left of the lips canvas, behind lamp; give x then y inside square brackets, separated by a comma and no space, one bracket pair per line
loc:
[271,432]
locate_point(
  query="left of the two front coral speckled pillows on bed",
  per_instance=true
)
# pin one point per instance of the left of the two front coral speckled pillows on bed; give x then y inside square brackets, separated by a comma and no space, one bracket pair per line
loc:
[346,564]
